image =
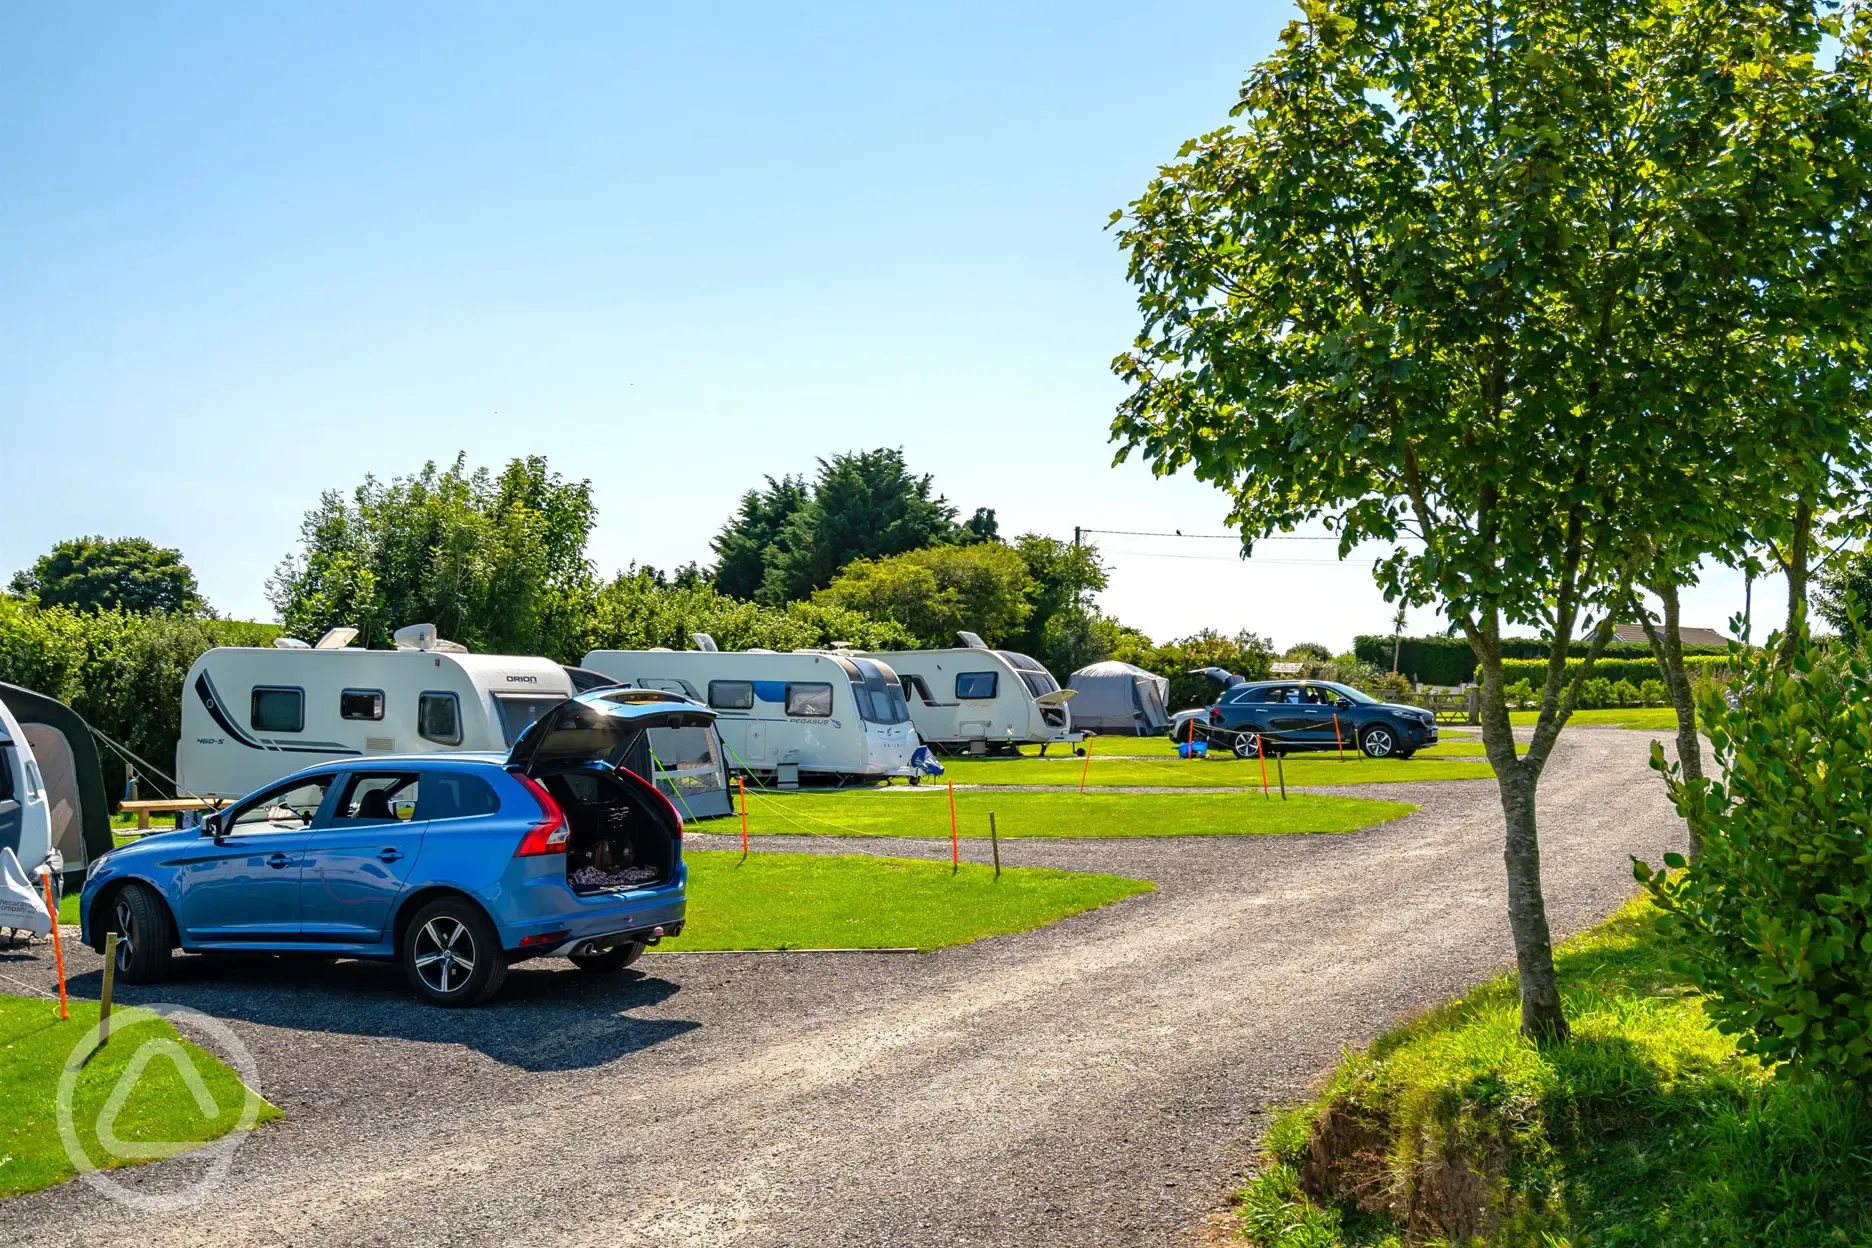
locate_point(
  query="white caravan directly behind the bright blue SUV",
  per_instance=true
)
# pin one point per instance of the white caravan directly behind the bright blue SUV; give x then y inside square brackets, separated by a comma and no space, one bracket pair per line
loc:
[254,716]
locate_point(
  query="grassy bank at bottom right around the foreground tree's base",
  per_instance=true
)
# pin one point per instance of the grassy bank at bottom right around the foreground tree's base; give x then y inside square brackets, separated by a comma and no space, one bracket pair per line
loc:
[1645,1129]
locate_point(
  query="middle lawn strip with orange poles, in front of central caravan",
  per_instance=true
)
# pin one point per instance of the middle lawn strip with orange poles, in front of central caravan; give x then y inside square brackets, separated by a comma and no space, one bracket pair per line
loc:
[926,813]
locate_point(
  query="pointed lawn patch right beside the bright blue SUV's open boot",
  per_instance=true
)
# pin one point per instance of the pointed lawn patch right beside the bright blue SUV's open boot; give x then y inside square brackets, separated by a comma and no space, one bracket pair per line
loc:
[838,901]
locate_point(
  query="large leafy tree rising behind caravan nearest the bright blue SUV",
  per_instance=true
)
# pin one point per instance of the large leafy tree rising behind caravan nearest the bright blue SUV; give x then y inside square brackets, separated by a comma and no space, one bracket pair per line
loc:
[493,562]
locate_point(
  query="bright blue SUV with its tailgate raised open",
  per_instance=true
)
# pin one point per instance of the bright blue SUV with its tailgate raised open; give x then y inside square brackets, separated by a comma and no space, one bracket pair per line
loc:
[454,865]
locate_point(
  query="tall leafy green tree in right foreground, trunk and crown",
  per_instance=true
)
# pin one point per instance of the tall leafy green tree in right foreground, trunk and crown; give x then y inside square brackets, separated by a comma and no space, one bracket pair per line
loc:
[1437,289]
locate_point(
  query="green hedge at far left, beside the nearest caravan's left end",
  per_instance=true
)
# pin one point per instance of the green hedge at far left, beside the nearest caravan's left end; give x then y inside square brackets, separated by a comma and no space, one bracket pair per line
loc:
[121,671]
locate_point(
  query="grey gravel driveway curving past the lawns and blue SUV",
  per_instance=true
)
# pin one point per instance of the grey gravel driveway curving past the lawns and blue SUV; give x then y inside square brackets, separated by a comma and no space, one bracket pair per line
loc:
[1098,1082]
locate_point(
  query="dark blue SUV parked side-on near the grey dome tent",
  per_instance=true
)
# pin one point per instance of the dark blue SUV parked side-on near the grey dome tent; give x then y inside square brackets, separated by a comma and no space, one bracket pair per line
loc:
[1280,718]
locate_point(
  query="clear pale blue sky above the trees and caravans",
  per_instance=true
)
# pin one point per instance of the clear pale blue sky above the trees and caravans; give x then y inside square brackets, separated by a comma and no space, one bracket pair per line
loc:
[256,252]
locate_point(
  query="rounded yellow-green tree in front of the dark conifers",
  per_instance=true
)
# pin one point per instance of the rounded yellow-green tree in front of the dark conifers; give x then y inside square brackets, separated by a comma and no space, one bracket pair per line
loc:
[939,592]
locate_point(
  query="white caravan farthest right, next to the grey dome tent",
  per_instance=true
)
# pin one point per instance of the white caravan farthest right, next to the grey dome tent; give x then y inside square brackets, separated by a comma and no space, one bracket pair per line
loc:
[984,701]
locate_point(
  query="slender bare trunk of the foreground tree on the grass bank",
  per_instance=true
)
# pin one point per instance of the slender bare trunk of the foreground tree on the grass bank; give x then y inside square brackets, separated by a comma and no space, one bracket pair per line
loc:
[1543,1019]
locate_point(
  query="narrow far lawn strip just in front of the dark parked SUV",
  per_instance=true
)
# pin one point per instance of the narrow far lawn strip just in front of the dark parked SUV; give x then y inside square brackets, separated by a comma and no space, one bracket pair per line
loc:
[1221,770]
